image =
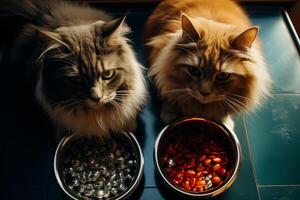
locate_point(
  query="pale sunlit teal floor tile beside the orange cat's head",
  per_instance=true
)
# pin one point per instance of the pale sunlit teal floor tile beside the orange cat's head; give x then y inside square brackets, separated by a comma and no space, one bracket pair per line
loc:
[279,50]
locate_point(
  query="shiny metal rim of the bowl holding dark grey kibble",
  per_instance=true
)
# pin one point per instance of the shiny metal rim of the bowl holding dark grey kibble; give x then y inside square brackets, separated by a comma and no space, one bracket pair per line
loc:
[129,190]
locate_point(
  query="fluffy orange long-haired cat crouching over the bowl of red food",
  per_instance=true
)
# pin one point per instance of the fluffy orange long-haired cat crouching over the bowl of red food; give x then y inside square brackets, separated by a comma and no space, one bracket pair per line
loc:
[205,59]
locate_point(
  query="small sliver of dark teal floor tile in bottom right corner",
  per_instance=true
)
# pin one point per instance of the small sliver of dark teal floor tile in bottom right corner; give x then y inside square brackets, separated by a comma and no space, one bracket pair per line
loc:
[280,193]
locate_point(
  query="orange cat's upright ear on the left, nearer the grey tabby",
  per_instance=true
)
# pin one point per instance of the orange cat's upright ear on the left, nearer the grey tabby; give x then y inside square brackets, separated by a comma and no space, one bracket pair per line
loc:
[189,33]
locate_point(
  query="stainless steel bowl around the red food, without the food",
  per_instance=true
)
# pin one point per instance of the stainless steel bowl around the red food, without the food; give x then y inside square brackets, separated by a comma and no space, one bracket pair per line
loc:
[219,131]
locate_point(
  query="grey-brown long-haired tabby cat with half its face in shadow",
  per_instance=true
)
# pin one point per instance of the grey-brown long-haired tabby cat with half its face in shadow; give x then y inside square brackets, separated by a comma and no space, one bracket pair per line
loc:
[85,74]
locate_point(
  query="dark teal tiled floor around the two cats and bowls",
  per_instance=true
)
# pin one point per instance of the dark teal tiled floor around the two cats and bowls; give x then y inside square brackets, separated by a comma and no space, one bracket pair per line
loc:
[269,138]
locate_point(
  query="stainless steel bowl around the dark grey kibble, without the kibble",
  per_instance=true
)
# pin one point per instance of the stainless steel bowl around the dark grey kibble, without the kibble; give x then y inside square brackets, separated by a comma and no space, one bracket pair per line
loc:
[127,139]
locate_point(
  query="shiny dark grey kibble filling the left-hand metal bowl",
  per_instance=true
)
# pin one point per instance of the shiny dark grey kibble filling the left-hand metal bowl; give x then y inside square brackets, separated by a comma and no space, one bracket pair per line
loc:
[98,171]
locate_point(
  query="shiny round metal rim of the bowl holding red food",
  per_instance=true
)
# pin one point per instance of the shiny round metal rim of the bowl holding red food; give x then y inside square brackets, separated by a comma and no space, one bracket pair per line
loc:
[237,165]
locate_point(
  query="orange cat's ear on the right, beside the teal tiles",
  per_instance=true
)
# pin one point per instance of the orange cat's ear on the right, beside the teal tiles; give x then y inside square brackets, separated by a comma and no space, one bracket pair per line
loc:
[244,41]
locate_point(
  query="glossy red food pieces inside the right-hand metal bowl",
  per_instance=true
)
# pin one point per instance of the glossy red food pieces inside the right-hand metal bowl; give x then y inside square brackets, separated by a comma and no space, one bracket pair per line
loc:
[195,163]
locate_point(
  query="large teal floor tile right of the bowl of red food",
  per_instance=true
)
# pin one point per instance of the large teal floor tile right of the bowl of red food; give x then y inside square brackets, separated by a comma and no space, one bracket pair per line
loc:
[275,140]
